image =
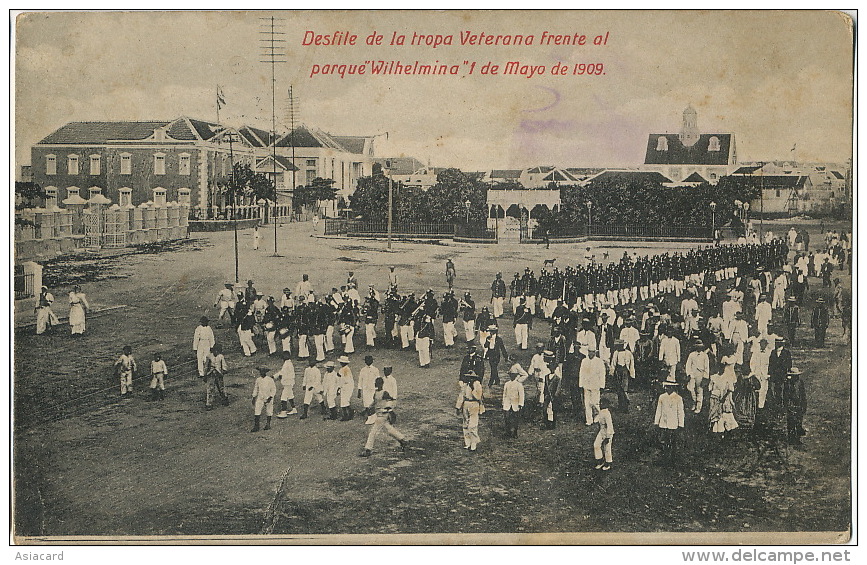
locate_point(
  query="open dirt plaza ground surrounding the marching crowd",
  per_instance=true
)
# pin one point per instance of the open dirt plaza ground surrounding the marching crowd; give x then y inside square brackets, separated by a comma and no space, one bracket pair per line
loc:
[88,463]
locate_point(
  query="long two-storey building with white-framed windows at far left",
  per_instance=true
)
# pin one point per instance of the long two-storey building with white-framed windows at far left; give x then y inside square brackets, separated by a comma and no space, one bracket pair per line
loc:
[128,161]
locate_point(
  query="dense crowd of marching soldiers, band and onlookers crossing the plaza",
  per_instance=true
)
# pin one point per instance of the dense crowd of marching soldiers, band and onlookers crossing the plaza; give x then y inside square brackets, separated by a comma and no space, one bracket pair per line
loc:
[611,326]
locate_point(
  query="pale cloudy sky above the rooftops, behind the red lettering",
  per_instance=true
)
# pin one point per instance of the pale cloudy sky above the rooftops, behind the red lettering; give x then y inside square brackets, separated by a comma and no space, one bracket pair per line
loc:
[775,79]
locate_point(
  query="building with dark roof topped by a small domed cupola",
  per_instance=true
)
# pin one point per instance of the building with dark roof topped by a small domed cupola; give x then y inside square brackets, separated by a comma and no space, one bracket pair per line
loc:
[679,155]
